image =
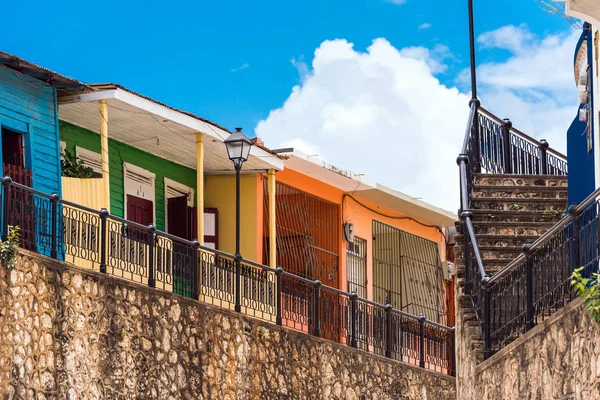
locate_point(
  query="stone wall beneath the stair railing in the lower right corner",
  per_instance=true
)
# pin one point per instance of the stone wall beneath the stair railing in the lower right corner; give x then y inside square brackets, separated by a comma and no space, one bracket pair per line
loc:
[558,359]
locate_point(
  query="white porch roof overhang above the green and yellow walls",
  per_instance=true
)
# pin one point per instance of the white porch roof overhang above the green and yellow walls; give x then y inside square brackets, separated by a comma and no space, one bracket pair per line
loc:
[158,129]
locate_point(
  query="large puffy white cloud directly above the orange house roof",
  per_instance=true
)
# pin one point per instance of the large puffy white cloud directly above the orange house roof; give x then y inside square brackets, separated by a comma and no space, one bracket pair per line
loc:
[382,113]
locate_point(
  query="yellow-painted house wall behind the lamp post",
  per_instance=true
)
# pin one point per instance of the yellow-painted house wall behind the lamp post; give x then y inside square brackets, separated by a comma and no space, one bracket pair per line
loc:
[219,193]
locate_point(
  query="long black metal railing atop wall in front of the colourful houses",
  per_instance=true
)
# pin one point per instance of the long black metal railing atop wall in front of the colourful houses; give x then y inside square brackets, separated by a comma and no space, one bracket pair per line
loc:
[98,240]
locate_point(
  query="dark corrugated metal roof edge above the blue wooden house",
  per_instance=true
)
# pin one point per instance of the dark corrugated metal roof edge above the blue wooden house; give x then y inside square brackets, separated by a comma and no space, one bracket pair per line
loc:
[65,84]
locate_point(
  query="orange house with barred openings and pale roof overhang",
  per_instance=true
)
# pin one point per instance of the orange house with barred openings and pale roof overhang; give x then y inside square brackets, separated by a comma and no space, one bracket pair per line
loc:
[357,235]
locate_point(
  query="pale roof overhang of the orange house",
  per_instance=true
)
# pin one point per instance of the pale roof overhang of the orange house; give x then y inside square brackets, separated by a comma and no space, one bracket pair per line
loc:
[363,188]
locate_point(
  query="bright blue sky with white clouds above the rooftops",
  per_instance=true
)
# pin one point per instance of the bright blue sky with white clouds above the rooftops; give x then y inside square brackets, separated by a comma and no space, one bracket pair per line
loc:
[311,72]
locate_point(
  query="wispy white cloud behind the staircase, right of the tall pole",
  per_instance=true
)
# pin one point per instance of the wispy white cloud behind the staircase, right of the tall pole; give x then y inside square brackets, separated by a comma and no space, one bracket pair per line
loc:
[535,86]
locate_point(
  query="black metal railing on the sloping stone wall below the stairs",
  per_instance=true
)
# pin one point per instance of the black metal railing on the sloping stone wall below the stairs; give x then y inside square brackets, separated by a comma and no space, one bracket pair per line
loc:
[538,282]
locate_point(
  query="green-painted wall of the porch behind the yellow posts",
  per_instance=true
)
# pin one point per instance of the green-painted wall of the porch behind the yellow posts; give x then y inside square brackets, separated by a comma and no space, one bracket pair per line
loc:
[118,154]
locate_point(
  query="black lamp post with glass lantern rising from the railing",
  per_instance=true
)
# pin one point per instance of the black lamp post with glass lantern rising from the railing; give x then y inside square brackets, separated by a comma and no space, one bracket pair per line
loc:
[238,150]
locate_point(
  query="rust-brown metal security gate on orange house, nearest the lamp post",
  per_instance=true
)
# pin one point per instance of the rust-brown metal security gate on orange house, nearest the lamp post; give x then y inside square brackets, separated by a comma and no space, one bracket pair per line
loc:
[308,238]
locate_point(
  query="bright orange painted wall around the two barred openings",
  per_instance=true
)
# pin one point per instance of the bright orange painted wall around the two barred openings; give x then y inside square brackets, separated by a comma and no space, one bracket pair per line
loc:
[361,217]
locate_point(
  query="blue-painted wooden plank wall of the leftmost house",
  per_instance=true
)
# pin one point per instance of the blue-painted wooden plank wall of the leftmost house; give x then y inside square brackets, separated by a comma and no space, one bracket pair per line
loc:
[28,106]
